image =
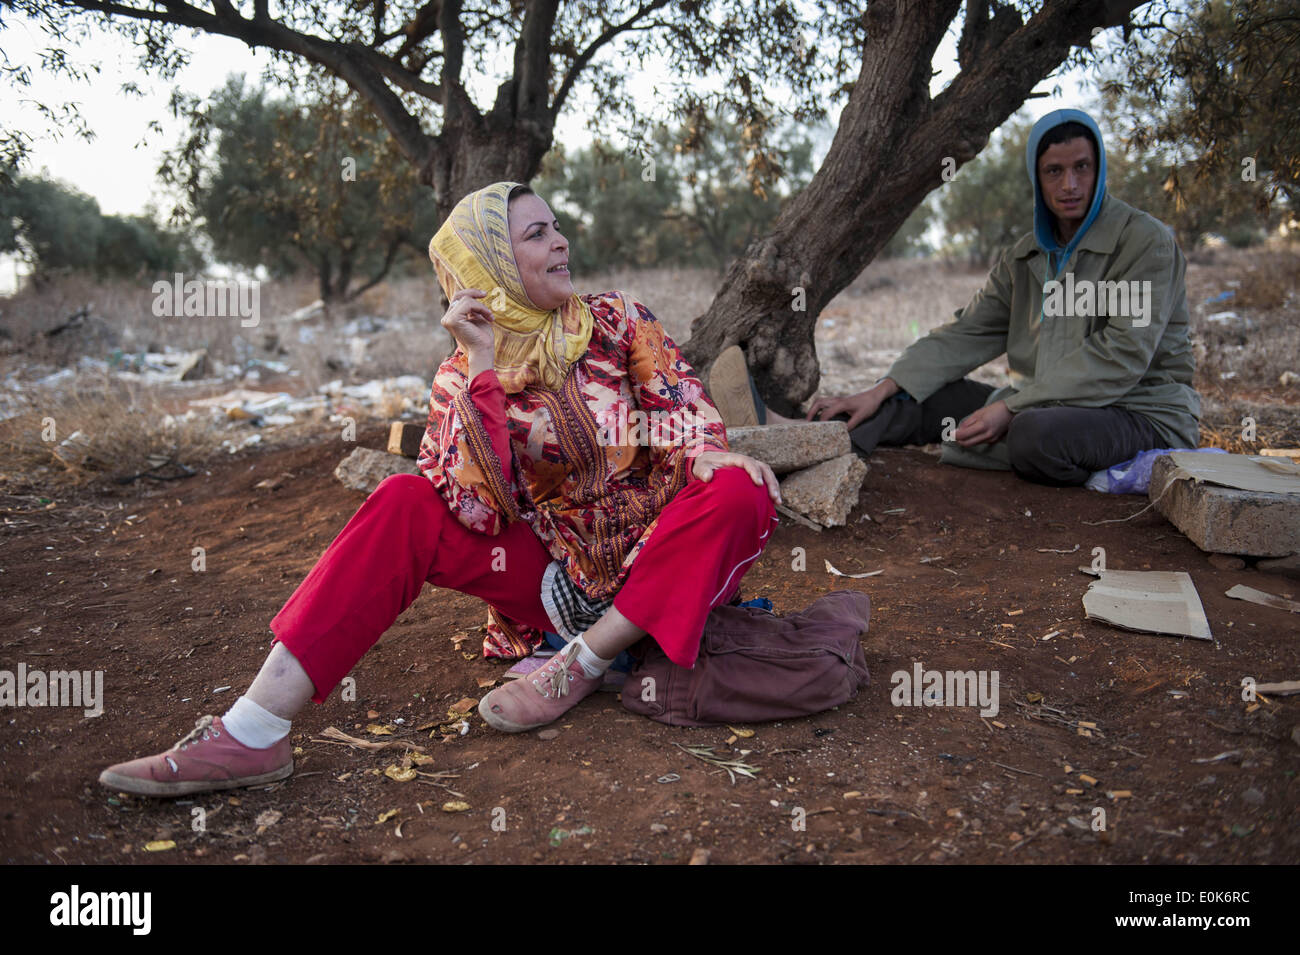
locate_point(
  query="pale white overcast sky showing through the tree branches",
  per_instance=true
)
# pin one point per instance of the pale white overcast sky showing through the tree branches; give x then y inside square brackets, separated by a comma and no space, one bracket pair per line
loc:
[119,167]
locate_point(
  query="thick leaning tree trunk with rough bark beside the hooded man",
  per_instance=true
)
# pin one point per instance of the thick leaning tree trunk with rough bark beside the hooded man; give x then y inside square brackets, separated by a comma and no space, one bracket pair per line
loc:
[889,153]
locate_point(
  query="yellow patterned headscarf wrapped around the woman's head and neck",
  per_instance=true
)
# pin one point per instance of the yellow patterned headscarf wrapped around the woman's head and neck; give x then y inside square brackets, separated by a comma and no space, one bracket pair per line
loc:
[473,250]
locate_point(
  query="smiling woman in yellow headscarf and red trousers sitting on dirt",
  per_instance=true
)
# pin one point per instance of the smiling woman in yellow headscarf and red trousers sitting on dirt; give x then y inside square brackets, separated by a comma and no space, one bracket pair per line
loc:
[525,502]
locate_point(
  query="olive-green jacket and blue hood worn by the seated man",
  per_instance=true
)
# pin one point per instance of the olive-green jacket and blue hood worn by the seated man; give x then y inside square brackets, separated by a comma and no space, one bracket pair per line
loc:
[1108,327]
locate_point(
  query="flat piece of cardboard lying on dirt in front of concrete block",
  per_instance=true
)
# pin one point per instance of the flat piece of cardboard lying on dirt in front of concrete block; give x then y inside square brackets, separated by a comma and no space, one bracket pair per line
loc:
[1163,602]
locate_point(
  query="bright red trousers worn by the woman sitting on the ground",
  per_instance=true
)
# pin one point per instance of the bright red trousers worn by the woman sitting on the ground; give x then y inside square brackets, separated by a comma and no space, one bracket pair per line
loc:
[405,536]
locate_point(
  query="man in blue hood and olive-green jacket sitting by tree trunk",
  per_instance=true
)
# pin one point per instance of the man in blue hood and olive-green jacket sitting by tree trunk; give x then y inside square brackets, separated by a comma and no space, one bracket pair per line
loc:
[1091,312]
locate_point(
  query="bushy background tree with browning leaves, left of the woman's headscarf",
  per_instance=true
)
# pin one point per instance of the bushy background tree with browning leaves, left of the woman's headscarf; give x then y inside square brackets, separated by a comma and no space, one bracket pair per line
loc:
[292,185]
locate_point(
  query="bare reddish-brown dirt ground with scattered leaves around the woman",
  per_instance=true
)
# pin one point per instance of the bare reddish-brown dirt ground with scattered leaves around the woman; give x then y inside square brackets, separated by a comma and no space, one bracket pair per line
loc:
[105,583]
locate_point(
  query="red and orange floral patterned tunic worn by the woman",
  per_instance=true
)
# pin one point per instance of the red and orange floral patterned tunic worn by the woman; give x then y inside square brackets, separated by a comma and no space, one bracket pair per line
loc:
[582,466]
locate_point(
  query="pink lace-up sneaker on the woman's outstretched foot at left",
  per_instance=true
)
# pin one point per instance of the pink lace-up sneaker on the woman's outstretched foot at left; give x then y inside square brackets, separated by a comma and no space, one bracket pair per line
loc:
[207,759]
